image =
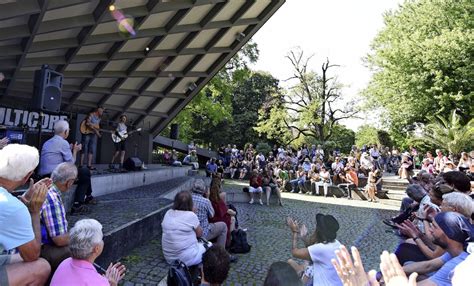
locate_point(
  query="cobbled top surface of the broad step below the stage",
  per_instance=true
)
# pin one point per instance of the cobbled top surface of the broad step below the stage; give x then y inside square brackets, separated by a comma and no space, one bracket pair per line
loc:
[114,210]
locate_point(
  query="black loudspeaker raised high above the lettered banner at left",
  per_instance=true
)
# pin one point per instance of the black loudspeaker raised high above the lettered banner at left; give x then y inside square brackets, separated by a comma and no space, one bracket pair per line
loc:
[47,90]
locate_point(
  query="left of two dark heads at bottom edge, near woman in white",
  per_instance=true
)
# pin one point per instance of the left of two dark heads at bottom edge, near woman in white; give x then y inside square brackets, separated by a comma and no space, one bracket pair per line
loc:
[215,266]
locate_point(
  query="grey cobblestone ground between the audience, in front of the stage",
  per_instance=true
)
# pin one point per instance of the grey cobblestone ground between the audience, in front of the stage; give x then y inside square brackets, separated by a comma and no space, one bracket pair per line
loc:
[360,225]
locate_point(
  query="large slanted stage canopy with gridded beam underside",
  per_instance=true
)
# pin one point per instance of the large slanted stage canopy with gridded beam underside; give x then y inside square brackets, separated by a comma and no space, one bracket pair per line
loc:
[149,71]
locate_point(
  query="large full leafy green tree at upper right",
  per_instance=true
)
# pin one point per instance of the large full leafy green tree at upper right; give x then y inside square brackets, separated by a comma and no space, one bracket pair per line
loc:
[423,63]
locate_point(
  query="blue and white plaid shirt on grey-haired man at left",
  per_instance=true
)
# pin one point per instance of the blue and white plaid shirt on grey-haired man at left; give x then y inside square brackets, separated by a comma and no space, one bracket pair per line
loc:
[53,216]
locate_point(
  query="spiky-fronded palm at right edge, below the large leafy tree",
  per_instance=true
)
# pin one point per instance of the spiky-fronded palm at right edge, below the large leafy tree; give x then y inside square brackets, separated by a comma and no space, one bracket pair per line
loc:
[449,133]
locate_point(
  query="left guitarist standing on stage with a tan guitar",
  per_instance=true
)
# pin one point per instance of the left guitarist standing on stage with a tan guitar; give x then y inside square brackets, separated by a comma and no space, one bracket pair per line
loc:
[89,141]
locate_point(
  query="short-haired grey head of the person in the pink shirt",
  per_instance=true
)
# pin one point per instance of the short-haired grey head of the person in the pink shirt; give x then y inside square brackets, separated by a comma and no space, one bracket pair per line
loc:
[84,236]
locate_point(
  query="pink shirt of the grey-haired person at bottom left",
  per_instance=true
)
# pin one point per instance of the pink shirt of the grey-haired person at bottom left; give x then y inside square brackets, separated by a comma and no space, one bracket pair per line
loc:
[74,272]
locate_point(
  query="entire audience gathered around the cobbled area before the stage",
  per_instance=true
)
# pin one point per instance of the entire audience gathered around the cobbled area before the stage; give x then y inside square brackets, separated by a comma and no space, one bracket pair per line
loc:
[434,224]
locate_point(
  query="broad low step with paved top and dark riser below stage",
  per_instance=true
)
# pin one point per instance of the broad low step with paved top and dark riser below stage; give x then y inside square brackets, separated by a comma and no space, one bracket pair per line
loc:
[132,217]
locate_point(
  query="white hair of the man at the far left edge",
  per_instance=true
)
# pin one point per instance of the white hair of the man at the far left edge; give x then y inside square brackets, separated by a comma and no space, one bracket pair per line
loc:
[17,160]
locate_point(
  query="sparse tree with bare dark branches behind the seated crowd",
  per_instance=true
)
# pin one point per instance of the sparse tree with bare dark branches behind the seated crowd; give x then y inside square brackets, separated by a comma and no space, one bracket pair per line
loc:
[308,108]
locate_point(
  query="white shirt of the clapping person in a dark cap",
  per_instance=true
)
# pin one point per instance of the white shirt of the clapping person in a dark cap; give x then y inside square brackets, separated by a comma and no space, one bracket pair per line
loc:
[324,273]
